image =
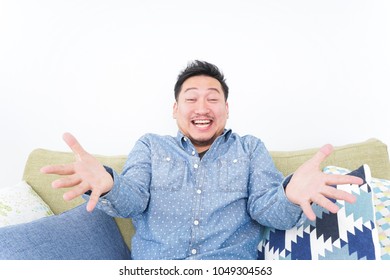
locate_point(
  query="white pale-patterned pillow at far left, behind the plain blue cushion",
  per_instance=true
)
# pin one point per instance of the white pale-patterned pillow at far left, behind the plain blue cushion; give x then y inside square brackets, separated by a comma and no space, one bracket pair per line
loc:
[20,204]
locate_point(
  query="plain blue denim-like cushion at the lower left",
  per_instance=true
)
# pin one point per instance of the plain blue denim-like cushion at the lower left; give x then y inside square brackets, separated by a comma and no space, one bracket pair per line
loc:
[73,235]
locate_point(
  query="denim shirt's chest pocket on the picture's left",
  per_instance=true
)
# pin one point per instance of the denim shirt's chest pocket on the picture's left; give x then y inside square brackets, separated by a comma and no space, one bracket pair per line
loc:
[167,174]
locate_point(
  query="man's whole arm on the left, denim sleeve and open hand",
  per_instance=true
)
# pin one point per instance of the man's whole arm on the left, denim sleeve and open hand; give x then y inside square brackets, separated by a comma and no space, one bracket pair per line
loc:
[122,195]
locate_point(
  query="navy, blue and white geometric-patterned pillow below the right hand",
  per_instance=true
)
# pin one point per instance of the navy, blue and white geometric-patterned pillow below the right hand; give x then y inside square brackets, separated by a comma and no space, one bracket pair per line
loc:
[349,234]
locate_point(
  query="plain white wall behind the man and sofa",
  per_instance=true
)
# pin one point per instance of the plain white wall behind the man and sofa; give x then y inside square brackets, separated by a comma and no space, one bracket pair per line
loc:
[301,73]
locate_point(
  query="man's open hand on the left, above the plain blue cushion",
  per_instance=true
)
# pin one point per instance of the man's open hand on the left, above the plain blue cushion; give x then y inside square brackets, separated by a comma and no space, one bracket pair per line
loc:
[85,174]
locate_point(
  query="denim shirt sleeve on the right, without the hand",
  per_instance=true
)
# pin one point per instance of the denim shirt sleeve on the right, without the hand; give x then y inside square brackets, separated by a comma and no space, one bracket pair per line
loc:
[267,202]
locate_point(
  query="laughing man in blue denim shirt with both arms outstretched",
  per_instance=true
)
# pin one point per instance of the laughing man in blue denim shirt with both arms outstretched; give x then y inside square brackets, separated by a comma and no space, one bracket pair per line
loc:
[206,193]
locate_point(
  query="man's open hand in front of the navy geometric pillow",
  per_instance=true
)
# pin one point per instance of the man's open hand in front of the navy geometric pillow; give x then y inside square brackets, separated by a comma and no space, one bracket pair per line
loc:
[310,185]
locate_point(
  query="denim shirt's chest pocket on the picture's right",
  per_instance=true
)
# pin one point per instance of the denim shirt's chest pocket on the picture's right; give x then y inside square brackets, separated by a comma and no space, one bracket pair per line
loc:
[233,174]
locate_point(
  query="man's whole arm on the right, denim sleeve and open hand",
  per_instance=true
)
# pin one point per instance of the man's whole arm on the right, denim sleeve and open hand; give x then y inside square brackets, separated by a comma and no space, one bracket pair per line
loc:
[279,203]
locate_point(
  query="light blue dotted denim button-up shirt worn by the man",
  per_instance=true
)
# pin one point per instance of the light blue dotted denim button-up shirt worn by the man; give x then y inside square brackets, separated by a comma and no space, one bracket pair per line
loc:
[186,208]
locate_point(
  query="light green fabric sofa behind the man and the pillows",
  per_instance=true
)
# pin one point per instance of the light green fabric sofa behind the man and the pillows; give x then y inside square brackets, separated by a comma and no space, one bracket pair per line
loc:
[372,152]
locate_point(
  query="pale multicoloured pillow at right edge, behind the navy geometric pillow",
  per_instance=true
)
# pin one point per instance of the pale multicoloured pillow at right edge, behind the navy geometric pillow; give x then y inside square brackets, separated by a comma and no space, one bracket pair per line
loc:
[381,196]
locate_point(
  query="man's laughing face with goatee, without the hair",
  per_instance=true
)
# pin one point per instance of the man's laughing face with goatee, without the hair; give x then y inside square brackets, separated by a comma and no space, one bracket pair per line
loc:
[201,111]
